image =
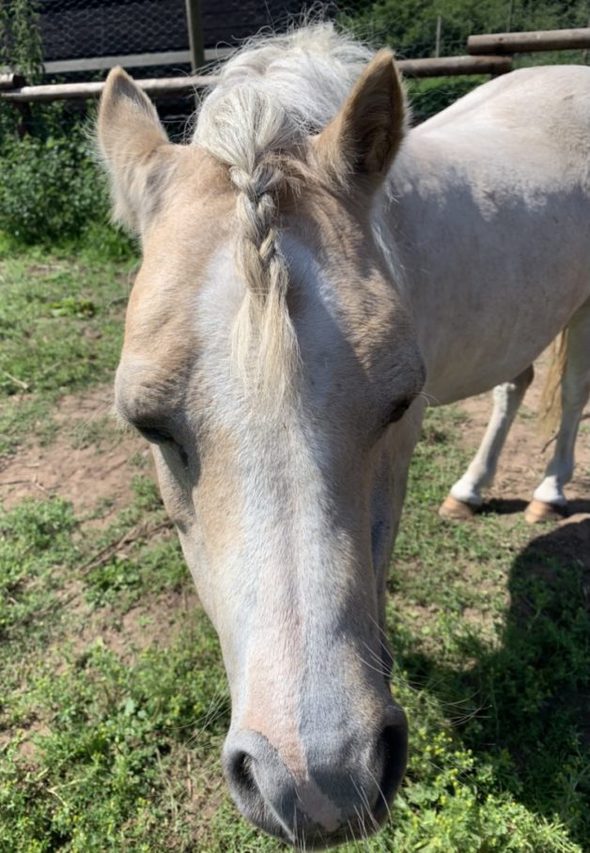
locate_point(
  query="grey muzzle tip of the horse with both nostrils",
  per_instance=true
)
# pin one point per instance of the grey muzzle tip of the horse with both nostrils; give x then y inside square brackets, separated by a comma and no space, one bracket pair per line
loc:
[339,796]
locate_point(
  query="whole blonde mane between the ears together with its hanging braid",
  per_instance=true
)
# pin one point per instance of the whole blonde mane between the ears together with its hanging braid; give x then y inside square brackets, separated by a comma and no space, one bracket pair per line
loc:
[269,97]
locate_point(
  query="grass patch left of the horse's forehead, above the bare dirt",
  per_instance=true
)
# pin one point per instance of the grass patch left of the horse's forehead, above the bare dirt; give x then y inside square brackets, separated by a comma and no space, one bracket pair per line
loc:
[60,330]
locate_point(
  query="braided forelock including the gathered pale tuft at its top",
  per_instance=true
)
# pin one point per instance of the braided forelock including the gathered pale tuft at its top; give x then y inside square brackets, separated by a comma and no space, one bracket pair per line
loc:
[245,130]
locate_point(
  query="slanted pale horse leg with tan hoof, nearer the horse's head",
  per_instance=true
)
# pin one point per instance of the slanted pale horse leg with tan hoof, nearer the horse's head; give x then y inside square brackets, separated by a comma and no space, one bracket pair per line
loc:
[465,496]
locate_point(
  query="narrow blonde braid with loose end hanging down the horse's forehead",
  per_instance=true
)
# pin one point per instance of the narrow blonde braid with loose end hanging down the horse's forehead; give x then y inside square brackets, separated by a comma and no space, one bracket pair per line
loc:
[263,336]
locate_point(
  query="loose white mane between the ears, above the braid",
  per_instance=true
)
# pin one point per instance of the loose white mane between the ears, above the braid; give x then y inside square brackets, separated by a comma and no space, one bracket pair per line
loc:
[275,90]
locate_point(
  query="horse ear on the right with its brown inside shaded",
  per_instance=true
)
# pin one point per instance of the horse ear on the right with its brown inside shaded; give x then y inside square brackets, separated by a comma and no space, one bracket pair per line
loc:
[366,133]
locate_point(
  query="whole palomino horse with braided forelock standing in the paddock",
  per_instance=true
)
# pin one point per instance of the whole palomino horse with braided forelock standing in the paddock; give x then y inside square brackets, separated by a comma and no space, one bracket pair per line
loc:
[314,271]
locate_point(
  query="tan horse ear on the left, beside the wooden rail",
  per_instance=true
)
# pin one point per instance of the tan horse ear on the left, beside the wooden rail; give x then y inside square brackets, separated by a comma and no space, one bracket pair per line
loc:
[134,148]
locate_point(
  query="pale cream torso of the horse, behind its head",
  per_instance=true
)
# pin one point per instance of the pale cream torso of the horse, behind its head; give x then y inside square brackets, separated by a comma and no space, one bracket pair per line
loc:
[490,210]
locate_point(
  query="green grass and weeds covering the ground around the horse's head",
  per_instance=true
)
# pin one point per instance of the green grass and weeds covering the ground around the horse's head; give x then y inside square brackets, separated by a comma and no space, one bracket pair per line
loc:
[114,702]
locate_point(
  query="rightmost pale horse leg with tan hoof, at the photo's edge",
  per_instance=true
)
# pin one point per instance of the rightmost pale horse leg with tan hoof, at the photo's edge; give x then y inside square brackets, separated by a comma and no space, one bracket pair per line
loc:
[549,500]
